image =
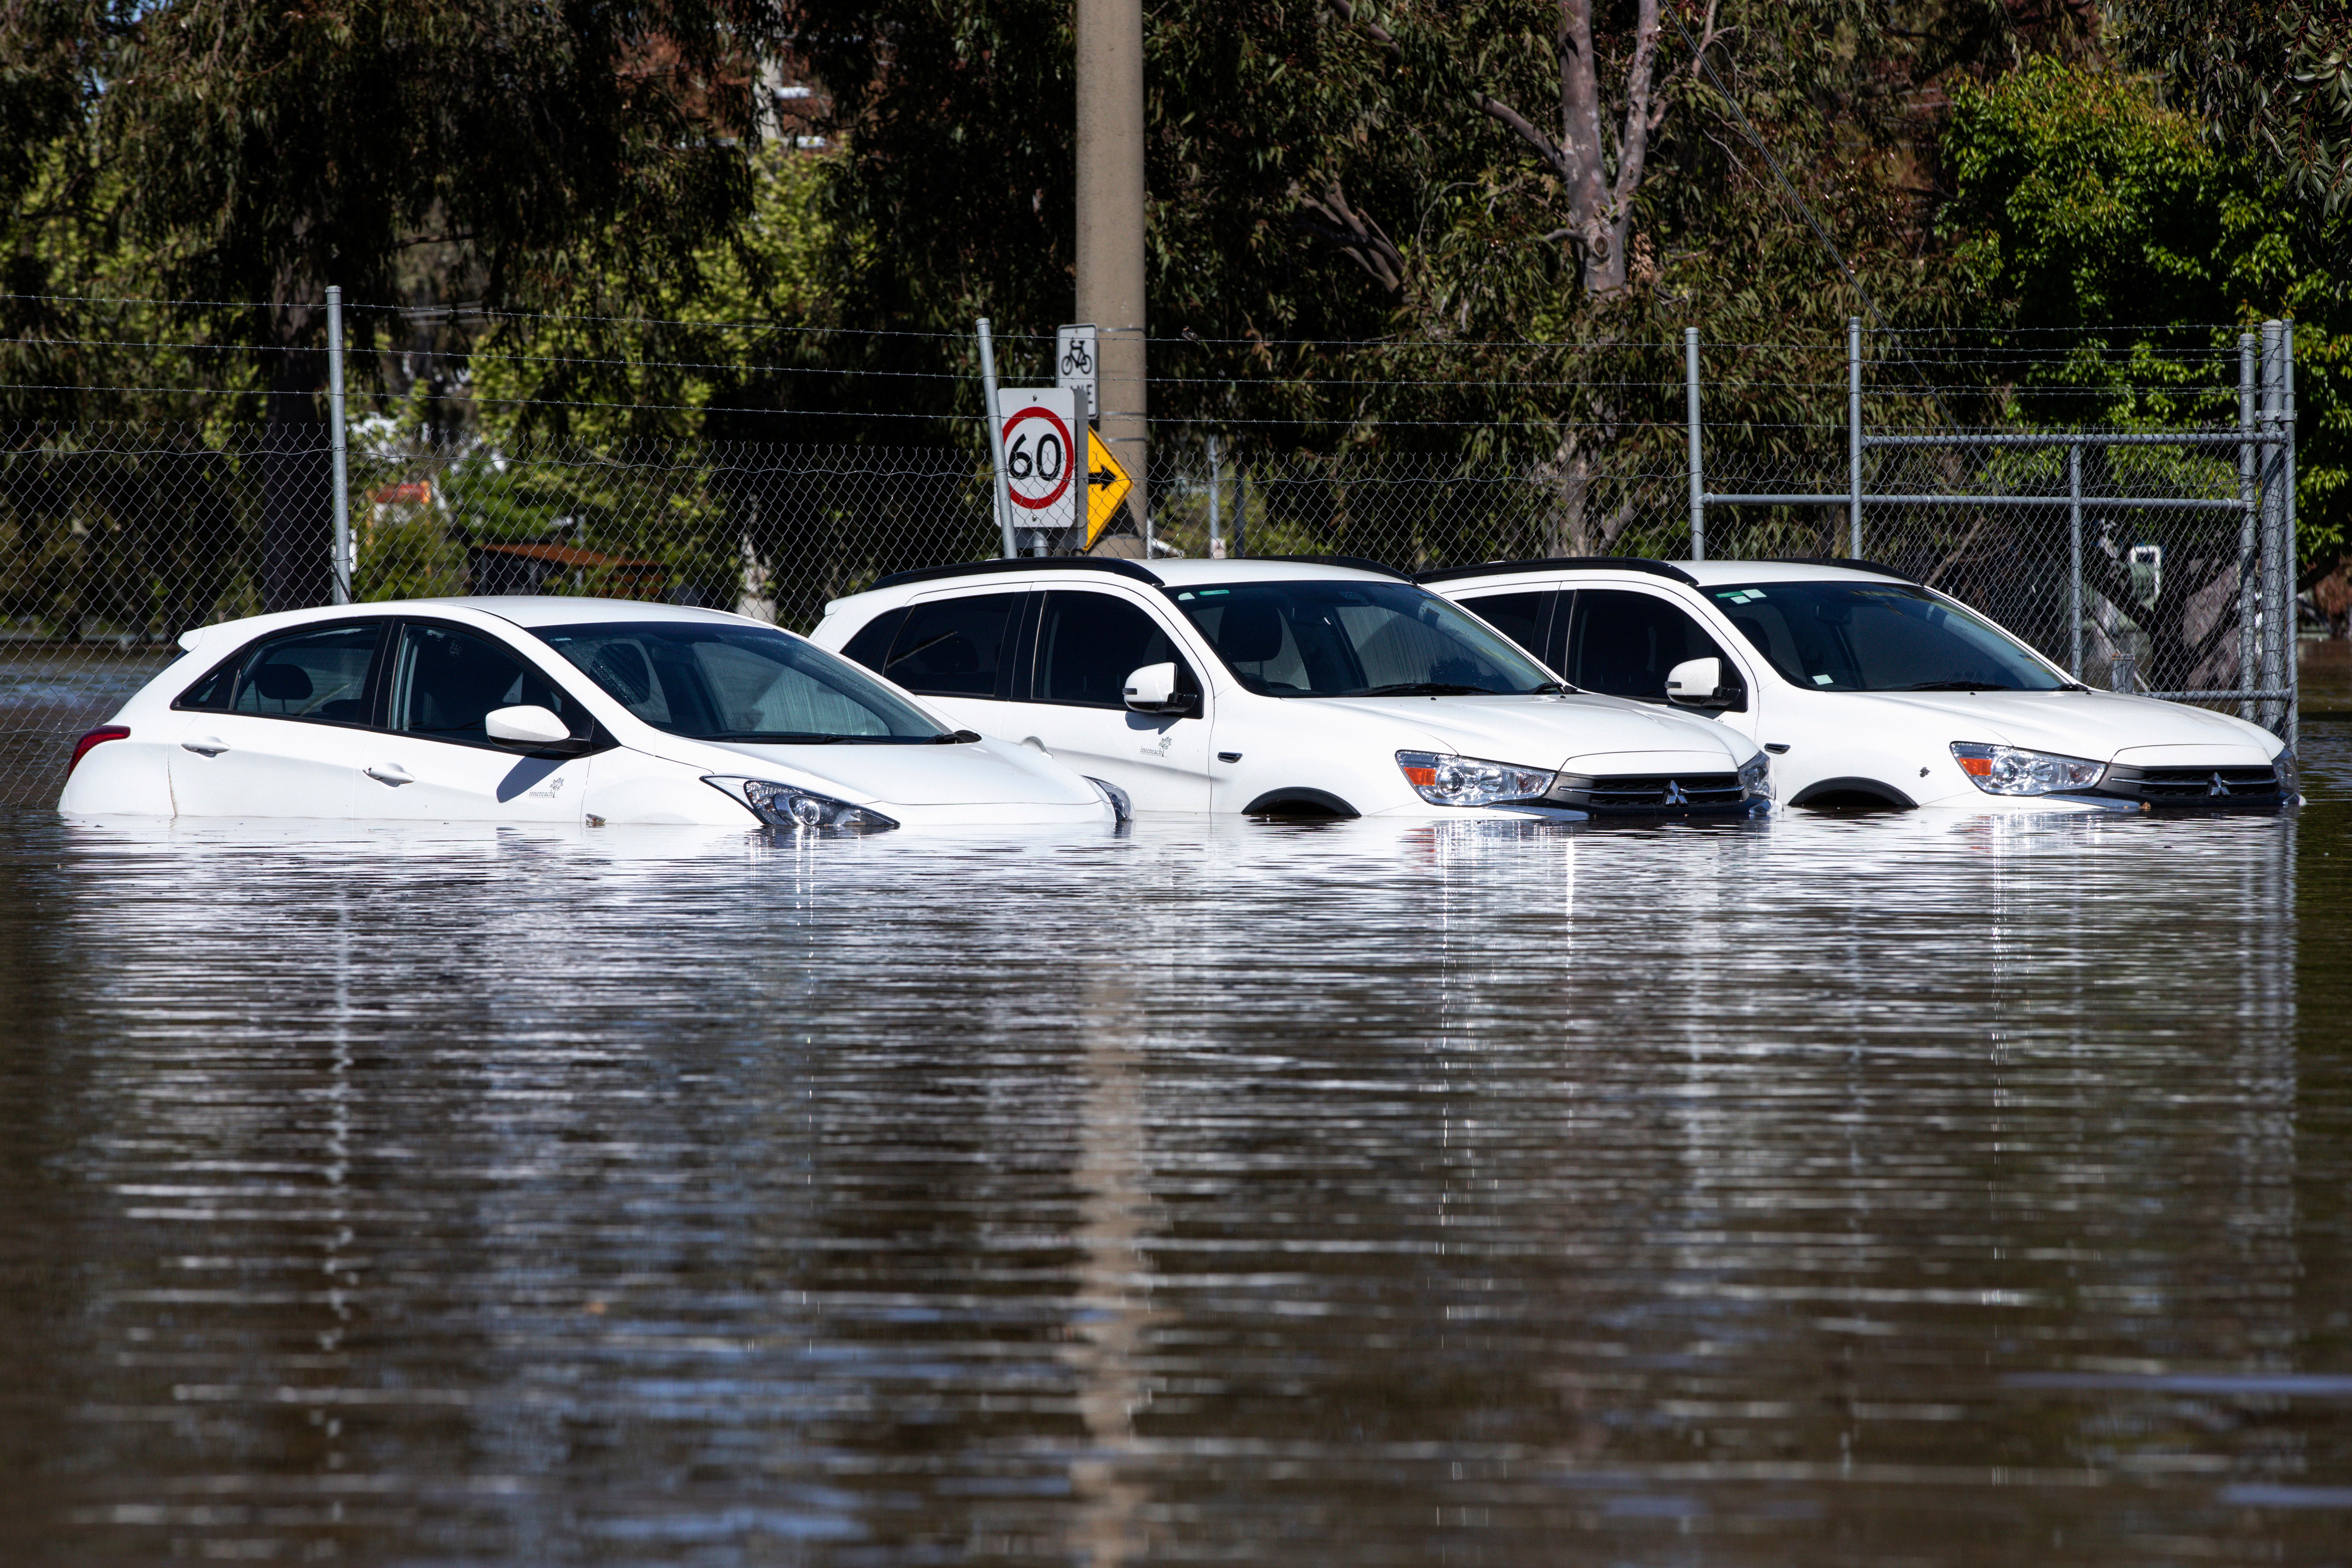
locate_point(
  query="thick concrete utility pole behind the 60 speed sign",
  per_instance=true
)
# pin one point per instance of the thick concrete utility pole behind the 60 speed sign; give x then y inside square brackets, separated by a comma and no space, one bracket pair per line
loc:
[1111,227]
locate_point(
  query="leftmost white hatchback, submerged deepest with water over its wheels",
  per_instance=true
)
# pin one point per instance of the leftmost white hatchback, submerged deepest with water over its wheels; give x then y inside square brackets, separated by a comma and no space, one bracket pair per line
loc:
[549,711]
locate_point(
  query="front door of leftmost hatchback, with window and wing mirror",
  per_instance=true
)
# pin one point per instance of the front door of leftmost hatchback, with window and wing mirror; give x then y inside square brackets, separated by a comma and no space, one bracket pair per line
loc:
[432,756]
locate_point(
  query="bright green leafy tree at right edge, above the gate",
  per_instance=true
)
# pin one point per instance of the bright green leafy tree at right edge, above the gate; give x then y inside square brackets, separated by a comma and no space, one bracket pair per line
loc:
[2090,215]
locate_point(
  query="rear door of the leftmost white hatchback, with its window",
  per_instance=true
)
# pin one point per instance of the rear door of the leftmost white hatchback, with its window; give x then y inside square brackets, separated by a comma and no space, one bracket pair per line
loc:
[279,728]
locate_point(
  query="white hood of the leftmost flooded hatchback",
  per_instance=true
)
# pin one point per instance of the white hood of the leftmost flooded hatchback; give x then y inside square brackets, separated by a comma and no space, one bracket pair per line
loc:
[980,775]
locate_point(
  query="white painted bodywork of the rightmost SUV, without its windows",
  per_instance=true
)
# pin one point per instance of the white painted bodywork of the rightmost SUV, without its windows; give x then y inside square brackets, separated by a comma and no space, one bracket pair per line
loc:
[1904,739]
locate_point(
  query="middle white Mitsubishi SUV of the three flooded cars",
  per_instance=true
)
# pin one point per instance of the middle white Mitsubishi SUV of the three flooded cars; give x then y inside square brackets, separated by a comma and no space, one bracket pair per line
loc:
[1281,688]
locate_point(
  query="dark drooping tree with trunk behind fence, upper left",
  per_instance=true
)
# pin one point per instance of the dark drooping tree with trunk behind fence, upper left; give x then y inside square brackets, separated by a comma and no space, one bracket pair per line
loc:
[243,152]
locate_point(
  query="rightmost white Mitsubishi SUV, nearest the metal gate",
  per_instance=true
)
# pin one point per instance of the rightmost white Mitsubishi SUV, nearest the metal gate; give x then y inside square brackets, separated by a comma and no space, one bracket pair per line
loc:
[1871,690]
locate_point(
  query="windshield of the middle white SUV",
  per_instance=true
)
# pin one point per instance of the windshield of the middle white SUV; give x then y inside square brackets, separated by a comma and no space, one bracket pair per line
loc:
[1339,638]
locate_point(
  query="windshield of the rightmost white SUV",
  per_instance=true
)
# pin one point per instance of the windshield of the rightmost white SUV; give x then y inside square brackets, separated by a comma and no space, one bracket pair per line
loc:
[1880,638]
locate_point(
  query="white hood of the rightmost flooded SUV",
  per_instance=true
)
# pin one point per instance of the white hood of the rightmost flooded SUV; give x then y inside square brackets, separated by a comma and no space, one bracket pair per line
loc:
[2092,725]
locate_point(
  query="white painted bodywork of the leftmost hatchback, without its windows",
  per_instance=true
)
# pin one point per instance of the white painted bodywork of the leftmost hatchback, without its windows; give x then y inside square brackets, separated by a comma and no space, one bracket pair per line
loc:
[279,768]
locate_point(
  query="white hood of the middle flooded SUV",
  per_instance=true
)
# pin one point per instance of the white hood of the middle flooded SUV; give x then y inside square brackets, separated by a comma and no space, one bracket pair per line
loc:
[1544,730]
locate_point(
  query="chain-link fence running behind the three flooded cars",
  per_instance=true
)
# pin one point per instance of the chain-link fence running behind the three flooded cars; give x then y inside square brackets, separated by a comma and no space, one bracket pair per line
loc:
[114,540]
